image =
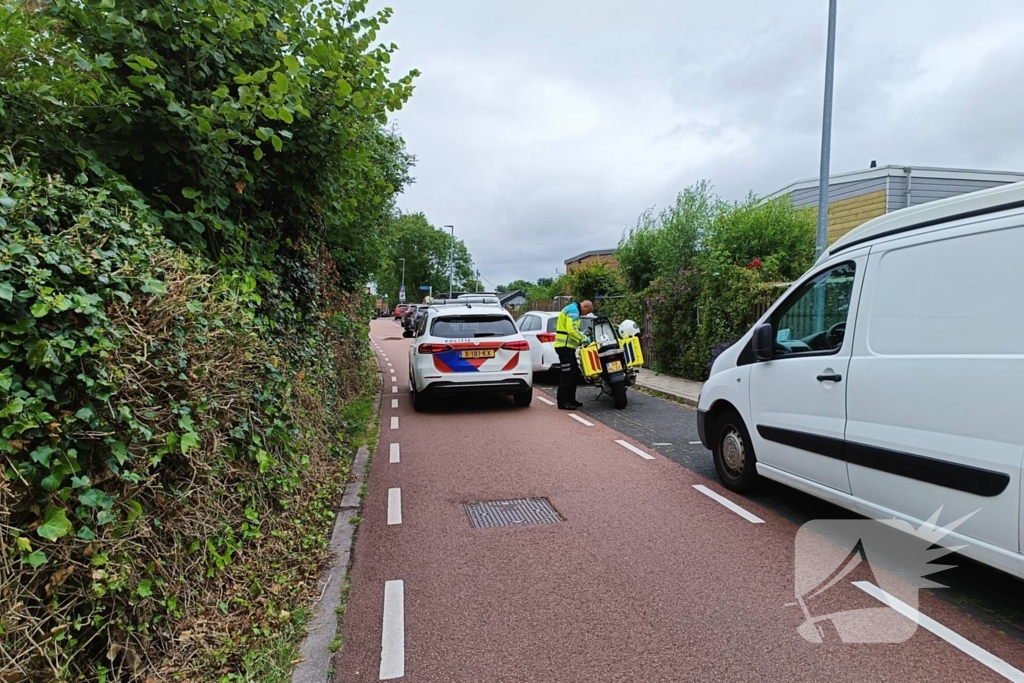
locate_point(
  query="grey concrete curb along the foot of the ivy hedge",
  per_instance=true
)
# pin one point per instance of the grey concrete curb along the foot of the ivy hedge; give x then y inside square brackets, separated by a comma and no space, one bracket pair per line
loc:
[316,656]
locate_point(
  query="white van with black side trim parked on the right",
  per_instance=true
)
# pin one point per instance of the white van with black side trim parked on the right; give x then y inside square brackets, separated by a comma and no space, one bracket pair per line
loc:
[889,379]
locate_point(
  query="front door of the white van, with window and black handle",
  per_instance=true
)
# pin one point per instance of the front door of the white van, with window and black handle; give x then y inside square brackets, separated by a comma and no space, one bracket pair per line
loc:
[798,399]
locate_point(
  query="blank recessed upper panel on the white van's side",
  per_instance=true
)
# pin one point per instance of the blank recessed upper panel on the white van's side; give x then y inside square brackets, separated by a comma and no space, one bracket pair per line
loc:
[956,296]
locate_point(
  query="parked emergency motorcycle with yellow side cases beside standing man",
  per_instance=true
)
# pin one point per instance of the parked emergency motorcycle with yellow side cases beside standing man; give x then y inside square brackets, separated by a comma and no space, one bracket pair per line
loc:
[613,360]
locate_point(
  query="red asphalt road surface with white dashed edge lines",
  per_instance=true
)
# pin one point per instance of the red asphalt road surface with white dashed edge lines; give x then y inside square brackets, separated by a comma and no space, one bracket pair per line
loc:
[647,580]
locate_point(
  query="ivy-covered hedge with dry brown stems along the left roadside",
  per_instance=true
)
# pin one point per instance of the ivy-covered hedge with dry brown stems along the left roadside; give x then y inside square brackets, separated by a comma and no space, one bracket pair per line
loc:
[161,461]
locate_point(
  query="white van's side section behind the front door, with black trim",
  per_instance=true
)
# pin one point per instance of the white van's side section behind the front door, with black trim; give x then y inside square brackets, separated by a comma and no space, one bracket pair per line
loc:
[937,379]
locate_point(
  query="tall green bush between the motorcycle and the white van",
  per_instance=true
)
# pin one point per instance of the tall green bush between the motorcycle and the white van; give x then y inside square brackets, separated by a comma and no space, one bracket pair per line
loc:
[706,267]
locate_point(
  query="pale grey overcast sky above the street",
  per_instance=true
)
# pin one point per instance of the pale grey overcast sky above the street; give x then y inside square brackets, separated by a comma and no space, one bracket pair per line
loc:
[543,130]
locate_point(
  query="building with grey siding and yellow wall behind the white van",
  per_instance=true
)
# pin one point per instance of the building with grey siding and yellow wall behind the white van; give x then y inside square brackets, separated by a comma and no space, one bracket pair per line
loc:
[860,196]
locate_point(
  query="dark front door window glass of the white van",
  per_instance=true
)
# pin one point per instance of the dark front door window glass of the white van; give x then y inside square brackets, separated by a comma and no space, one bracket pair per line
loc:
[814,319]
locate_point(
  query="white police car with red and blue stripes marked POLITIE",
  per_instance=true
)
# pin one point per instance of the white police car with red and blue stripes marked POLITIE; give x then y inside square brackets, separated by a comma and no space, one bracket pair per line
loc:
[468,347]
